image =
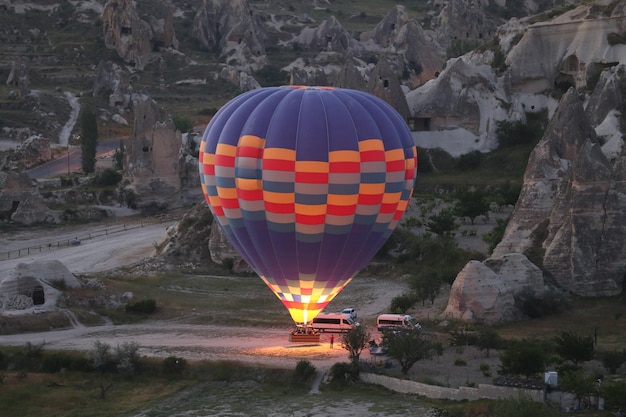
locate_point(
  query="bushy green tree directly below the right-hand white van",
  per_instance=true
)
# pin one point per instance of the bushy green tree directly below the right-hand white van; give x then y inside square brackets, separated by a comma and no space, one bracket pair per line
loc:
[407,346]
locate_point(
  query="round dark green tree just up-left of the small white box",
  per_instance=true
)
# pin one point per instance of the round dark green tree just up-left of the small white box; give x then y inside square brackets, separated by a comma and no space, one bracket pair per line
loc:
[523,357]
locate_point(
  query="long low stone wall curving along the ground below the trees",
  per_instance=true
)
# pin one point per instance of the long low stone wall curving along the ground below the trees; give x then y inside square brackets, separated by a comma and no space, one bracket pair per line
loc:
[482,391]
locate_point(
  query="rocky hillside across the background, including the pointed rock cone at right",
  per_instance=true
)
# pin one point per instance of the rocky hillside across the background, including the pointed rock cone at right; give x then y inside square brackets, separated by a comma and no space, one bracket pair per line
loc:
[454,69]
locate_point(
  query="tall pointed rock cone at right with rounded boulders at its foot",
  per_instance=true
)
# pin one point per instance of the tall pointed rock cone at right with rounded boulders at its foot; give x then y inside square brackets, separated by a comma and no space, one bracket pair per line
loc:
[568,220]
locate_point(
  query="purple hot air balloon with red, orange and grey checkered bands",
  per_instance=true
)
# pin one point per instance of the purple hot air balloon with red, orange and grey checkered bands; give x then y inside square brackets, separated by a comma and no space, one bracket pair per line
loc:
[307,183]
